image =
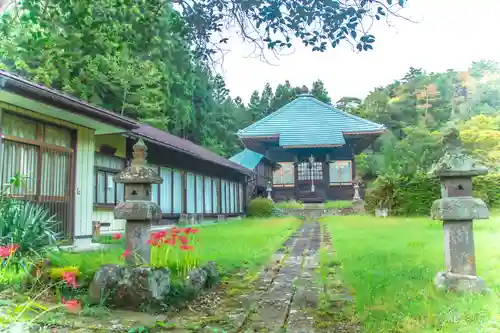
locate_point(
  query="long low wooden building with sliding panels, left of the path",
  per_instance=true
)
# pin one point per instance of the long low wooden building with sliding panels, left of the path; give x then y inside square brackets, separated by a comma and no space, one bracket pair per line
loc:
[68,151]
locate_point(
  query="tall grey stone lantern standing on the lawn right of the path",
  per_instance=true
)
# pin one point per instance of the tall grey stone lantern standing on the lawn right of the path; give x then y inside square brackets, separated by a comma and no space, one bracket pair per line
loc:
[457,209]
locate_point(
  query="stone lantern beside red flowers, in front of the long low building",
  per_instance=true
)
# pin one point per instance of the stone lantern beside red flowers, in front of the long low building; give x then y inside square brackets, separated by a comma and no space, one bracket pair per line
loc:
[138,209]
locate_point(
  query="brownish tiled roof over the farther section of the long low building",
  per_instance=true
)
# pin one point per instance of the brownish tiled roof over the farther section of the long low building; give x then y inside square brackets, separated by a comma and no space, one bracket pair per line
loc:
[168,140]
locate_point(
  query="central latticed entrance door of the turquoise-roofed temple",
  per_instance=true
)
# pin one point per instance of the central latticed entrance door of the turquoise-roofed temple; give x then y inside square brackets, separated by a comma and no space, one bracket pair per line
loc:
[310,182]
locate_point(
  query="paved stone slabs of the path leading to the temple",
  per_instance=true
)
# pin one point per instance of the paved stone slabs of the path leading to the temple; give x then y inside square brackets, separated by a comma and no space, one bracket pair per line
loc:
[285,297]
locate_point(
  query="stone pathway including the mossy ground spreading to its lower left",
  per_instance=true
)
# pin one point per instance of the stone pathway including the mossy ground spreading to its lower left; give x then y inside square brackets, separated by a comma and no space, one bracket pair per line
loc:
[283,298]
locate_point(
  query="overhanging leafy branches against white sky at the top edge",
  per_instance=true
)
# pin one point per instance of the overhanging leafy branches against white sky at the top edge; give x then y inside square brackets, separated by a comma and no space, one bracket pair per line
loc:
[272,24]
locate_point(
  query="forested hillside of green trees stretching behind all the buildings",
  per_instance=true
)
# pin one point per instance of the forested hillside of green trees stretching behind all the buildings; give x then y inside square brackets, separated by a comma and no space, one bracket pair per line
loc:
[140,59]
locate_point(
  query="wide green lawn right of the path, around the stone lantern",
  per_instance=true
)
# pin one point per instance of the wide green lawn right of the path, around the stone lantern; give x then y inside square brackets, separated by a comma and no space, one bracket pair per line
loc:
[390,263]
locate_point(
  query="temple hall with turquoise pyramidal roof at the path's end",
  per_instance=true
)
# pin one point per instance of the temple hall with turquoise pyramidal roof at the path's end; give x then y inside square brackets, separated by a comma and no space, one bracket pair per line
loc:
[314,144]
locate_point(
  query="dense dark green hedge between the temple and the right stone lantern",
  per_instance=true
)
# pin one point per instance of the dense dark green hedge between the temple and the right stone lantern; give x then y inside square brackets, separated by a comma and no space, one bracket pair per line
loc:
[403,195]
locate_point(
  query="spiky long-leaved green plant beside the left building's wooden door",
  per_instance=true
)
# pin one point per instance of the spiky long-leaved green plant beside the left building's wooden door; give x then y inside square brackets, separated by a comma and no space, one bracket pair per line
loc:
[27,224]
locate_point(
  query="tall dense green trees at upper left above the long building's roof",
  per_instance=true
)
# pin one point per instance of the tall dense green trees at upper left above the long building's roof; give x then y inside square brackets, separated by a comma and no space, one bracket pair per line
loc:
[133,64]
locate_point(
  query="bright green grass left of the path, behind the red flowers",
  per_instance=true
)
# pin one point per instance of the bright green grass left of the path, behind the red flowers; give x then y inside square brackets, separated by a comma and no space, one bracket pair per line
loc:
[232,245]
